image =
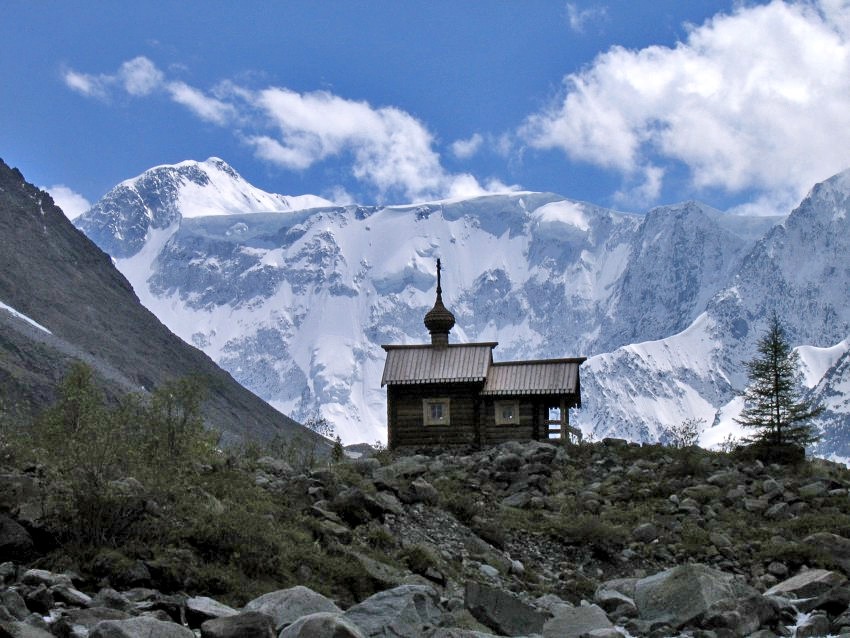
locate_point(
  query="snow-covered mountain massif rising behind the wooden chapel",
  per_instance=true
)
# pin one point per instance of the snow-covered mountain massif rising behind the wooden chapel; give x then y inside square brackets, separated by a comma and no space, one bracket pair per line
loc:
[295,303]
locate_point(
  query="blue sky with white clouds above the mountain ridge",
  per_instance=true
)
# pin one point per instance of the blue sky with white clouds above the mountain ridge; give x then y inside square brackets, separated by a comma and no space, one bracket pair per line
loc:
[628,104]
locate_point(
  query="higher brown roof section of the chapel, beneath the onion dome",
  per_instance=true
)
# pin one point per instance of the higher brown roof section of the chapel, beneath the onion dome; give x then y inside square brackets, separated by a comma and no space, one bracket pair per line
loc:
[427,364]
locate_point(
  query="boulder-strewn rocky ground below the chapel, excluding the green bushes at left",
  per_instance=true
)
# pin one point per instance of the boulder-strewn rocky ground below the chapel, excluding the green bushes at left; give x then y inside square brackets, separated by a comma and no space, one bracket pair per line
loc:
[607,539]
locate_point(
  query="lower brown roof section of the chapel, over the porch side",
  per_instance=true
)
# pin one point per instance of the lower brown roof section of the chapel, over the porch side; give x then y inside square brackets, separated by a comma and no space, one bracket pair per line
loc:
[548,376]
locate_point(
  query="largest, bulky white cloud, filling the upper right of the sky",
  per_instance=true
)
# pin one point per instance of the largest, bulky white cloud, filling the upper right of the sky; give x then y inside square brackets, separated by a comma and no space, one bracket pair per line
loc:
[756,99]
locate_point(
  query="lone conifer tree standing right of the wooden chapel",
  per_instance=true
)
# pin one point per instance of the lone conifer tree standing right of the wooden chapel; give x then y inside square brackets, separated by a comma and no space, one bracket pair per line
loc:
[772,402]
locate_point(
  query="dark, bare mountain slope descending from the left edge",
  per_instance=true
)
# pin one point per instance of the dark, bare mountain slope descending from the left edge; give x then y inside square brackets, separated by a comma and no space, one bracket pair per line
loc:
[53,274]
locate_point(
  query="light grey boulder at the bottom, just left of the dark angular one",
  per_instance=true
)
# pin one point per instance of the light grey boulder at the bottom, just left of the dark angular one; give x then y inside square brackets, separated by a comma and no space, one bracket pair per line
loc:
[407,611]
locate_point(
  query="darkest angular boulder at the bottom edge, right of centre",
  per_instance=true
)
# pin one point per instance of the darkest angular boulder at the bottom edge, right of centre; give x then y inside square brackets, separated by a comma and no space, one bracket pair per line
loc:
[502,611]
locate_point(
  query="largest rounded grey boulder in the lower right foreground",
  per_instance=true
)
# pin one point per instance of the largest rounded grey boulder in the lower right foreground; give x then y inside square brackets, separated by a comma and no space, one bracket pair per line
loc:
[681,594]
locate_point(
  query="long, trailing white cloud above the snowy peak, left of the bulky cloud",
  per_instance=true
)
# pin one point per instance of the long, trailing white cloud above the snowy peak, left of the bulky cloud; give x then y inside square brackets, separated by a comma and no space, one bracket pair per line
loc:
[387,148]
